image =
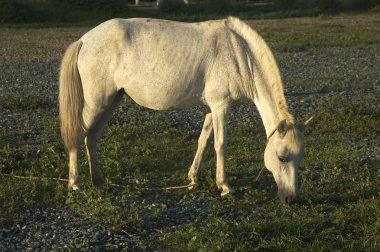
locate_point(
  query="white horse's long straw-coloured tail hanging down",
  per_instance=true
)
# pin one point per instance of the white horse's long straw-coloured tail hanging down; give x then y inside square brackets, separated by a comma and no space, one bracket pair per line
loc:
[70,97]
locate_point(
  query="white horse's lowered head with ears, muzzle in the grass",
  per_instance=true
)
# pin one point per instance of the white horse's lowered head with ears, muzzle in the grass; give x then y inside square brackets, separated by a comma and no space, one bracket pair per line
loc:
[282,157]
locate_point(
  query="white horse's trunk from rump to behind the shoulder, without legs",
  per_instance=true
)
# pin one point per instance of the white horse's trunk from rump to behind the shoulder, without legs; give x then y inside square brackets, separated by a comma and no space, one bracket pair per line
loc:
[160,64]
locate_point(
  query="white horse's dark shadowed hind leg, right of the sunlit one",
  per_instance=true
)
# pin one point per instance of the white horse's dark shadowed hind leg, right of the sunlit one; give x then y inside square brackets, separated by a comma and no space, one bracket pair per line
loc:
[93,135]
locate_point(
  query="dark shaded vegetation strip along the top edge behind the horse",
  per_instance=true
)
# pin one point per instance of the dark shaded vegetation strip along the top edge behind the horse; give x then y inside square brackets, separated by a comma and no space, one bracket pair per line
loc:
[63,11]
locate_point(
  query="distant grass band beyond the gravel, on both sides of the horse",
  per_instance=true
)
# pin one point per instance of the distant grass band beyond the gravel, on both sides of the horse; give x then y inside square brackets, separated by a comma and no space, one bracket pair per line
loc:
[282,34]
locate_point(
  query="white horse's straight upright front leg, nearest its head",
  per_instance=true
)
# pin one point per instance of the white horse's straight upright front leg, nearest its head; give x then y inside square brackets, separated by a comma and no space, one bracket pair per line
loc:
[219,120]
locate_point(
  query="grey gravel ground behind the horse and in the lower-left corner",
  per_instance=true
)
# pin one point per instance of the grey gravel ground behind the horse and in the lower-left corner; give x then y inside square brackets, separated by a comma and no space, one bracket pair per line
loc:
[312,78]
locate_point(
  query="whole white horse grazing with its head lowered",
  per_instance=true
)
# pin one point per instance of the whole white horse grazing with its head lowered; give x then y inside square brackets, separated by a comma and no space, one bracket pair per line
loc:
[165,65]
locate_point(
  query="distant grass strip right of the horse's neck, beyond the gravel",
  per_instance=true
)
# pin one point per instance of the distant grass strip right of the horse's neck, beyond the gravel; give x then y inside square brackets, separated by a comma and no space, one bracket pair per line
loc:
[319,32]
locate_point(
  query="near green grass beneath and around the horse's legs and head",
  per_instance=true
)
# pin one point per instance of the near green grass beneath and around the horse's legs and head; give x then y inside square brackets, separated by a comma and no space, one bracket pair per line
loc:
[338,209]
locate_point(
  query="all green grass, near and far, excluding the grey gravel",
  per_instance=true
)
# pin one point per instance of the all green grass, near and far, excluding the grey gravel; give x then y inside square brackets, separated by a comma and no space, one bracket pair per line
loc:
[339,209]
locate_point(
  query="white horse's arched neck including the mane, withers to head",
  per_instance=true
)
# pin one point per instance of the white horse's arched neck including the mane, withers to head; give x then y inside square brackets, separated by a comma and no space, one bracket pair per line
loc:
[265,86]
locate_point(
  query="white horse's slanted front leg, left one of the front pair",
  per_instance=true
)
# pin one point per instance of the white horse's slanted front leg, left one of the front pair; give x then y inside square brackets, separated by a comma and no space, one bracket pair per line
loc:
[202,143]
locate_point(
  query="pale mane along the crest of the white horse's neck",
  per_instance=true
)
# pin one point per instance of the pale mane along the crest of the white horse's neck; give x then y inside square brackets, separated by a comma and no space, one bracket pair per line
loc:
[266,60]
